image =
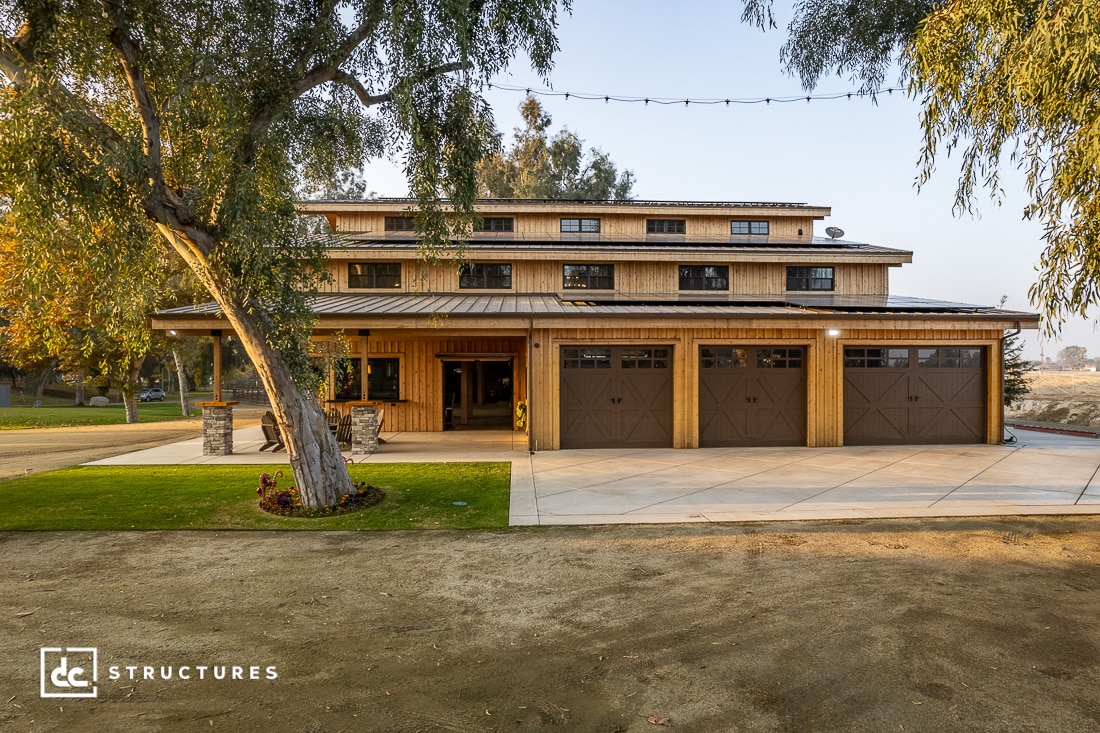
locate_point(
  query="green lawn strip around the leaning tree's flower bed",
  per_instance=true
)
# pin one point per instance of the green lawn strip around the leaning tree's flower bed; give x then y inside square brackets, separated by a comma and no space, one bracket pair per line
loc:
[419,497]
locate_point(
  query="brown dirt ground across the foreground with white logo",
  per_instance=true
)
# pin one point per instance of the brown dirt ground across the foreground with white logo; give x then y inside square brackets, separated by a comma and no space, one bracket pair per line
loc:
[879,626]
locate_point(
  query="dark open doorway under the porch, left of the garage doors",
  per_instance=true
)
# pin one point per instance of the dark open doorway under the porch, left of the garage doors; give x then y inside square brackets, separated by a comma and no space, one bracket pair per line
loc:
[478,395]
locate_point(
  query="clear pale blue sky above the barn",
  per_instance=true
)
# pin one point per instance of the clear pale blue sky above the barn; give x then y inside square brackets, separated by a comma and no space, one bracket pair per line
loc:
[852,156]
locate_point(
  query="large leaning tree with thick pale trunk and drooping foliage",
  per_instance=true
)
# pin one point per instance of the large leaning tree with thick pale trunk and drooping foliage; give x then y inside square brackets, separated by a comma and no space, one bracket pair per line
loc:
[200,121]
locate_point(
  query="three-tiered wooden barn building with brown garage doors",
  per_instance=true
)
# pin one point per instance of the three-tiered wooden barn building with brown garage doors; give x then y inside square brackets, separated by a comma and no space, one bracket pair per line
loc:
[651,325]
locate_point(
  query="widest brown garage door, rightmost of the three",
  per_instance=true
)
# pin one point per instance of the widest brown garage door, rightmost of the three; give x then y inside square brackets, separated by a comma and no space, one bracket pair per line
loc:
[915,396]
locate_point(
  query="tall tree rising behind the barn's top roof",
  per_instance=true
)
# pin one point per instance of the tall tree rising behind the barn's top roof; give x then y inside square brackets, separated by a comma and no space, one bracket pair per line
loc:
[537,167]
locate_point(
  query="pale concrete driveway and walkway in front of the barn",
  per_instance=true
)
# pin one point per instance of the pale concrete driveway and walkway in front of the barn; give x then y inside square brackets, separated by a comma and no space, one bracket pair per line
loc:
[1043,474]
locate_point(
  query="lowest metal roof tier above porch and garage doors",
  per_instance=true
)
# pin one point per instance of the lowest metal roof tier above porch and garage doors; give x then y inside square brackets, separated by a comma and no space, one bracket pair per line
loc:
[588,305]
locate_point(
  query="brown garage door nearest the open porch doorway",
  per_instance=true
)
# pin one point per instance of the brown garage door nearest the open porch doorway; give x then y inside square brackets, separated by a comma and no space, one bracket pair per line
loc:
[617,397]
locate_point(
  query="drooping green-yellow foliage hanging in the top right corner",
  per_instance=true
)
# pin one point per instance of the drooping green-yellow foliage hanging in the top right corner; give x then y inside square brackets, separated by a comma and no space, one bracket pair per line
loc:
[1018,78]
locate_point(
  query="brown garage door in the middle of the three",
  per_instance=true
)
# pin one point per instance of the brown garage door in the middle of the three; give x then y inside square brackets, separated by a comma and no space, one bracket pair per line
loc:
[752,397]
